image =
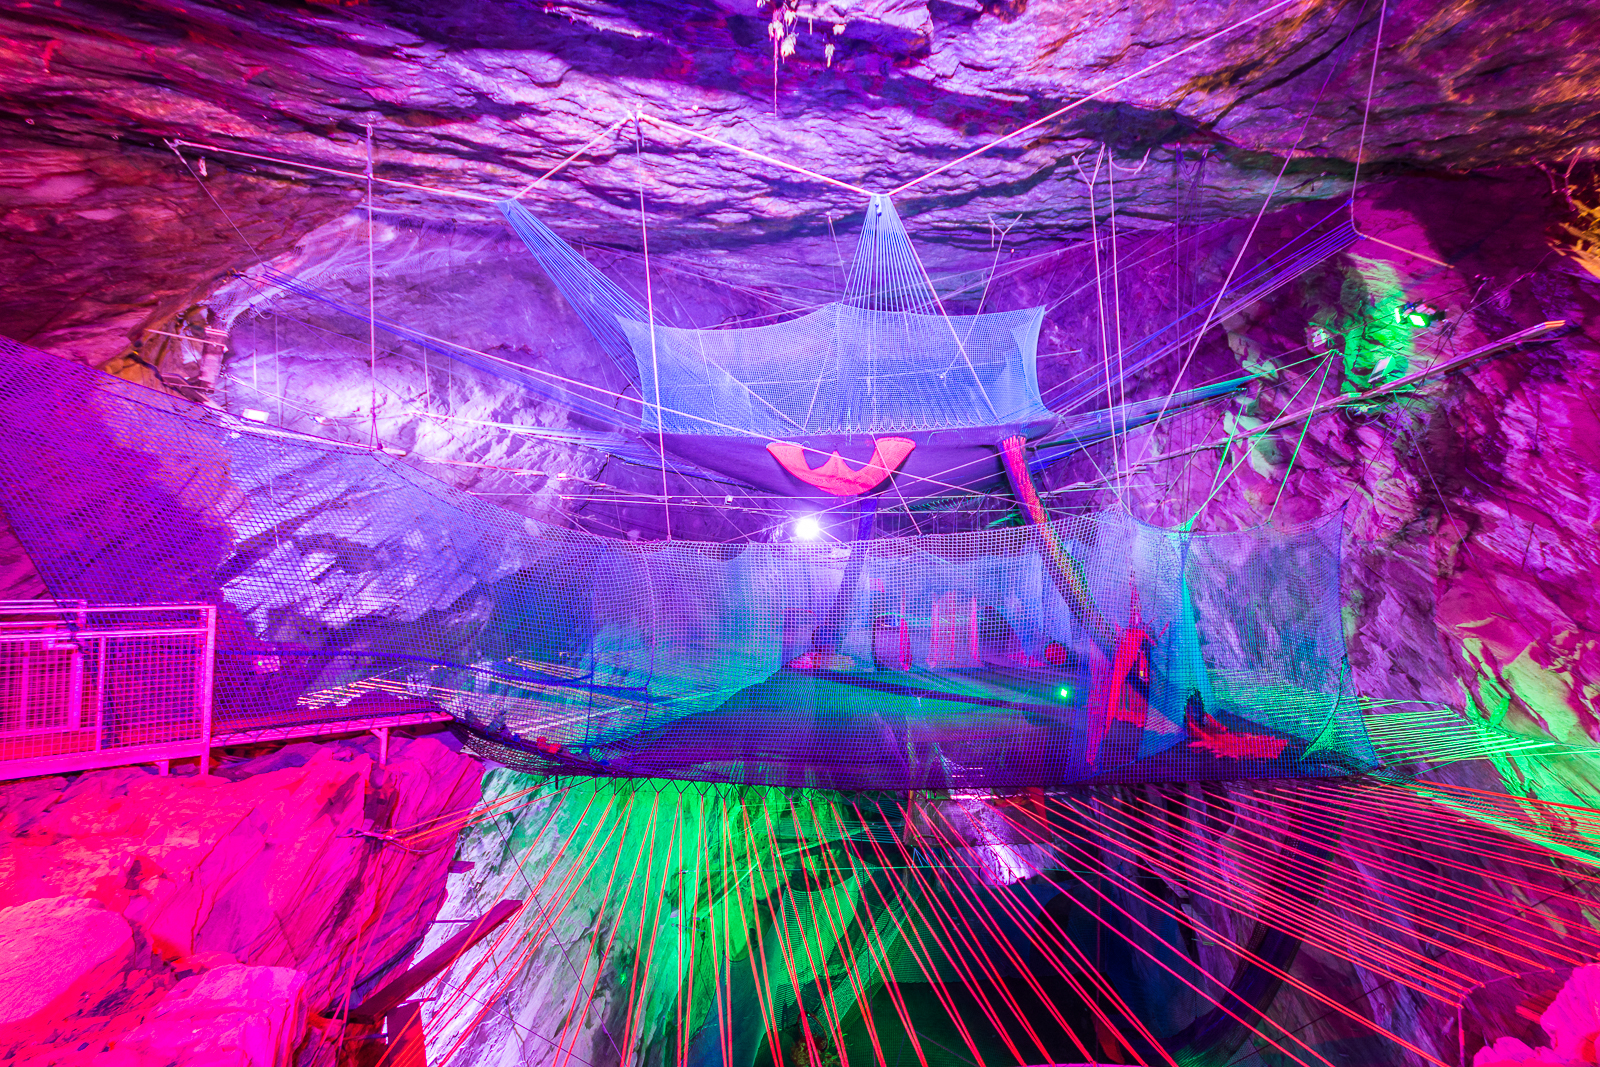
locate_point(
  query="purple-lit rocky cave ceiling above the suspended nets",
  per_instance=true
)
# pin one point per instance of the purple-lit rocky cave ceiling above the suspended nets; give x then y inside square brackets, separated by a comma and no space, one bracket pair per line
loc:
[108,231]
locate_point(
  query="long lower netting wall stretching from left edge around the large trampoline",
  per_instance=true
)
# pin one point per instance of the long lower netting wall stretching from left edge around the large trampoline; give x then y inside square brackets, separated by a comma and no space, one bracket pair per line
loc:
[956,661]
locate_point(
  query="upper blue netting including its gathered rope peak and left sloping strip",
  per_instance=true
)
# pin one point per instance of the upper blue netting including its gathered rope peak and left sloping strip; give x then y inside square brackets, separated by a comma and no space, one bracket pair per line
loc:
[882,359]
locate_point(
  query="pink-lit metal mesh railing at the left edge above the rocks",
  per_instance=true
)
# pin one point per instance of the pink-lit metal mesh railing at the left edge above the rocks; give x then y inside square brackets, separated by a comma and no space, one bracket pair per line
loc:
[86,687]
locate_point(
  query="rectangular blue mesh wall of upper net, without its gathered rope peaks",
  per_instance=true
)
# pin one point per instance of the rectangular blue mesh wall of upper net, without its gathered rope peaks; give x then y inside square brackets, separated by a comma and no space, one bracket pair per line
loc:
[842,370]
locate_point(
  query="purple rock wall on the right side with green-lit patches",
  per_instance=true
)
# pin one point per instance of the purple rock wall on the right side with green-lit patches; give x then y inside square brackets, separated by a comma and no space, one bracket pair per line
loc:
[1468,502]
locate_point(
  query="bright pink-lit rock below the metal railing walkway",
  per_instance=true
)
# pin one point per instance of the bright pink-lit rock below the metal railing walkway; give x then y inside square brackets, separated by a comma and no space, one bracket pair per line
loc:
[182,919]
